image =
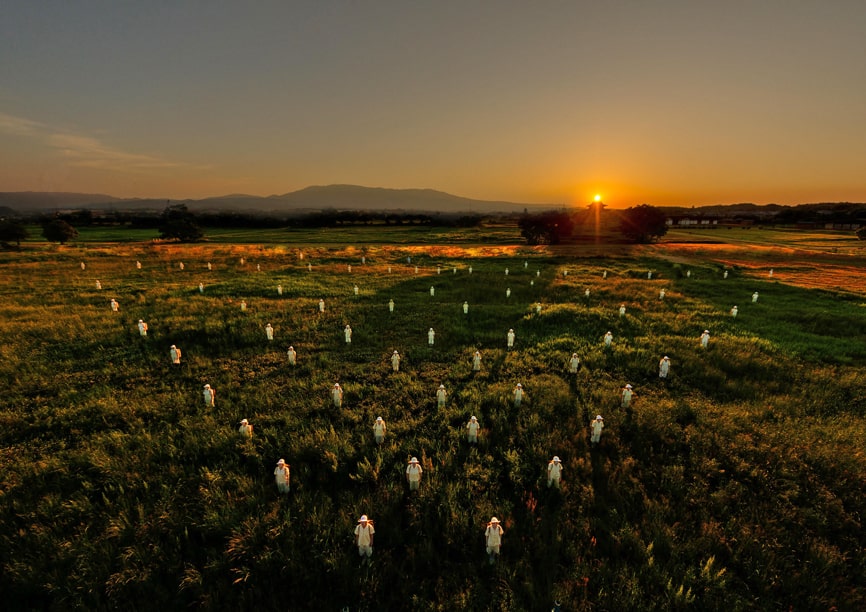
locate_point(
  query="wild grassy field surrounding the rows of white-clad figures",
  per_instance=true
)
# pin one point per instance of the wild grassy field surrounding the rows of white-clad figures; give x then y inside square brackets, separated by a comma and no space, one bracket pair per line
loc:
[736,483]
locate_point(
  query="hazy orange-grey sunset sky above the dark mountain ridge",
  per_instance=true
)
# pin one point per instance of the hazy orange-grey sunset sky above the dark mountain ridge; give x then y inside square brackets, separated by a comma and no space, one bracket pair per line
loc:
[687,102]
